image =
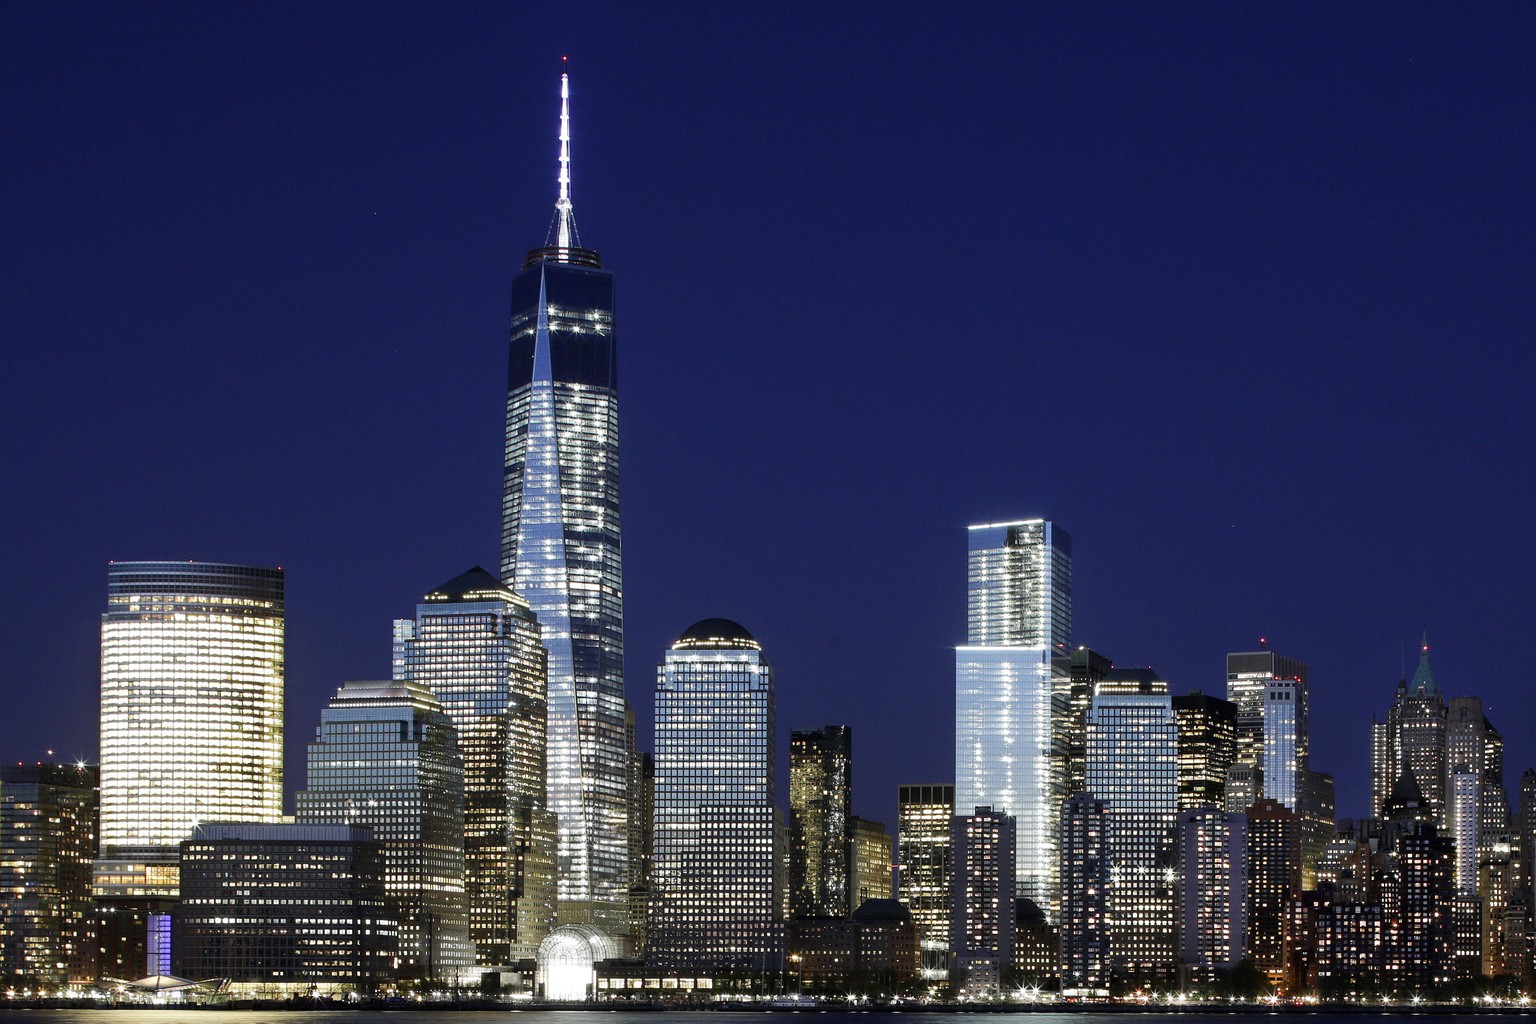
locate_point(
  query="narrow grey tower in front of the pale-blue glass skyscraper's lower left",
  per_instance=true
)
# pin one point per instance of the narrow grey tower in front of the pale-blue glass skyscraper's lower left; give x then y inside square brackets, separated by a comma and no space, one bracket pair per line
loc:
[982,923]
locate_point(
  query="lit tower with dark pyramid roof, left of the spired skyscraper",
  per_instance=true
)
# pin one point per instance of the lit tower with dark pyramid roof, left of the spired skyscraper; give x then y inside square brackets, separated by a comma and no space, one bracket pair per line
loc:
[475,646]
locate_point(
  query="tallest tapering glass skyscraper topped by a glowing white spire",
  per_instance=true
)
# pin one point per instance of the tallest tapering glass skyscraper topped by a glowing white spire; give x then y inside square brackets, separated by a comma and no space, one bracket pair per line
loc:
[560,546]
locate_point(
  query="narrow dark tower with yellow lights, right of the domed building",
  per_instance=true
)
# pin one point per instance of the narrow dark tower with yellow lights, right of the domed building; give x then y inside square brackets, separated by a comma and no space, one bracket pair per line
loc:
[821,822]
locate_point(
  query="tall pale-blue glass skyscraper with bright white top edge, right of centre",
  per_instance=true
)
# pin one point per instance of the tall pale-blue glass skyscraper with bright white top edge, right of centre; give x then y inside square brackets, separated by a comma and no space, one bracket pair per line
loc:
[1013,690]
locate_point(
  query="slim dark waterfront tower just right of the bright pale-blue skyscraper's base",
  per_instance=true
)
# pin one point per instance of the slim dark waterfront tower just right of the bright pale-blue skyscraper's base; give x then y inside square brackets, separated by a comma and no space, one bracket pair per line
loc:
[1085,897]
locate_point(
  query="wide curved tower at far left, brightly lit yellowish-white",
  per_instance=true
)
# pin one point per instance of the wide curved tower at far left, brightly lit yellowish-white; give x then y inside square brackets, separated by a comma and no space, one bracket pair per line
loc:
[191,715]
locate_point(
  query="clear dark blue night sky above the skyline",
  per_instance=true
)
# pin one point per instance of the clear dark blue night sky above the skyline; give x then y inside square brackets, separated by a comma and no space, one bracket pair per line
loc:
[1242,296]
